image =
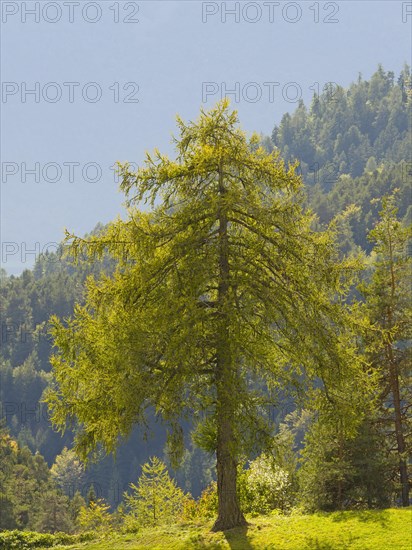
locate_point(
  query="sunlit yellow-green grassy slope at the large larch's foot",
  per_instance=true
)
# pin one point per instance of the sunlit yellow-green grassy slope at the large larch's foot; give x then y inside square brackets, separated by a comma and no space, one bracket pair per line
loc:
[364,530]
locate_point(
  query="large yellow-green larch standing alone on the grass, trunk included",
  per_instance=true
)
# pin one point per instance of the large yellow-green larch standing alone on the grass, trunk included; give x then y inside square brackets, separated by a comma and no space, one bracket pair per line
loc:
[222,295]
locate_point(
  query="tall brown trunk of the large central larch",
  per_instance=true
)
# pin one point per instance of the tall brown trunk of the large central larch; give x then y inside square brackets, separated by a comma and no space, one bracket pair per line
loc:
[229,512]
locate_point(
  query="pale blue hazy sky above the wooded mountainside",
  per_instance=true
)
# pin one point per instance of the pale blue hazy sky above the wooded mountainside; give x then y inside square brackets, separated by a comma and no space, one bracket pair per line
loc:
[169,53]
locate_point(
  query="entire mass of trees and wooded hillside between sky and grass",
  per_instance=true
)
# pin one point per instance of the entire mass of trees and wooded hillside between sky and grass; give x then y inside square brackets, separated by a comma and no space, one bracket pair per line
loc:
[238,346]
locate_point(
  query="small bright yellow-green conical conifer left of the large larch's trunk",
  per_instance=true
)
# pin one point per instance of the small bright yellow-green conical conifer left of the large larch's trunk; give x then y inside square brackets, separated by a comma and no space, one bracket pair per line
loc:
[156,498]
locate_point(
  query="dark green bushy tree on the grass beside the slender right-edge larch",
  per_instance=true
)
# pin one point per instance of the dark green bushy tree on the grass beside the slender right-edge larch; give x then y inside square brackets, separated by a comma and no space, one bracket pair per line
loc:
[341,470]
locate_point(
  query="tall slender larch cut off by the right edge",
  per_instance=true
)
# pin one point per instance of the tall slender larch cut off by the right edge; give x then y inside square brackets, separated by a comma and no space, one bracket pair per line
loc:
[388,304]
